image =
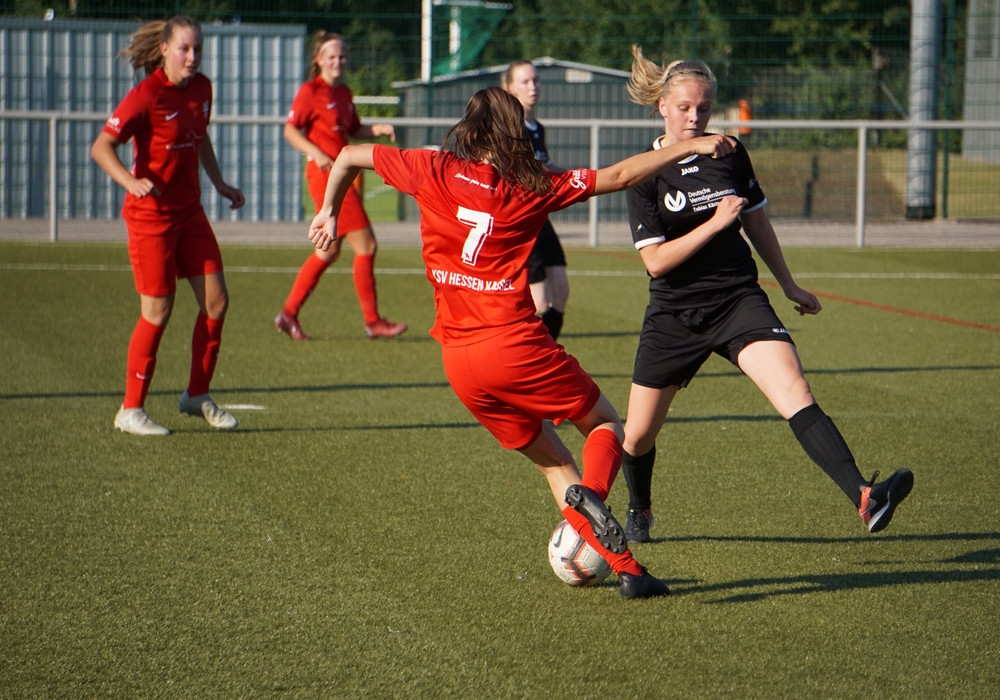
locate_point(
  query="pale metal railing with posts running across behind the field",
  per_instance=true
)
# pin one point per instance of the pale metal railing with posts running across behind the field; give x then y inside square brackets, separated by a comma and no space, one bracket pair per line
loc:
[861,127]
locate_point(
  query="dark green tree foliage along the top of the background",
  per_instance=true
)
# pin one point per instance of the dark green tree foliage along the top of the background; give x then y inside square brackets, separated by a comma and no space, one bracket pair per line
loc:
[842,58]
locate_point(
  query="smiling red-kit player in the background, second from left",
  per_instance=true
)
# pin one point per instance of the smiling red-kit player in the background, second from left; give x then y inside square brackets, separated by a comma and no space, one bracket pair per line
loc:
[320,123]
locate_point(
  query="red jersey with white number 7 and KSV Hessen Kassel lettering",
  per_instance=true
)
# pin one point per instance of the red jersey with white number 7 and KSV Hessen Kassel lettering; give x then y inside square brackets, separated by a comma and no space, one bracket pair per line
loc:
[477,234]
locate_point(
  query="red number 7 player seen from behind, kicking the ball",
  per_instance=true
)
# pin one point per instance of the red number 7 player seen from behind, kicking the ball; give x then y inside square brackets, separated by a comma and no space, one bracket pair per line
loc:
[483,200]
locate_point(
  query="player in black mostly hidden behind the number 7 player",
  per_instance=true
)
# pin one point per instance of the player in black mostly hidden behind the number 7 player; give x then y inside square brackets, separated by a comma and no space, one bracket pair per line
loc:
[547,263]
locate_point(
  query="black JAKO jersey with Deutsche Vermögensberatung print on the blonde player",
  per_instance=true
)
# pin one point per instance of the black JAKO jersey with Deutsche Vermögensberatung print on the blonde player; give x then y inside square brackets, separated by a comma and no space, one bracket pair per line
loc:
[680,199]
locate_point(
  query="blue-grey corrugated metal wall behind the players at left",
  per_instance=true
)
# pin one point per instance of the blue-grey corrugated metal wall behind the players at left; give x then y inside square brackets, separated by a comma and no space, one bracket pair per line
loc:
[73,66]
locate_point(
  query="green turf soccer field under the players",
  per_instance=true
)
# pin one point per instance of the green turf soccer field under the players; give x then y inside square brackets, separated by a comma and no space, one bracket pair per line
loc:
[361,535]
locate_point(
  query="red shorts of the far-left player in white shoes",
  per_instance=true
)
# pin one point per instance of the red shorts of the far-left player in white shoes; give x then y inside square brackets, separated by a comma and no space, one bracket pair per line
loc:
[163,251]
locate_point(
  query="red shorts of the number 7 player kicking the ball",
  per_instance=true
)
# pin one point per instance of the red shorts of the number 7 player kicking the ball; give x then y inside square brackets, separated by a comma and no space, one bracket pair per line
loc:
[514,381]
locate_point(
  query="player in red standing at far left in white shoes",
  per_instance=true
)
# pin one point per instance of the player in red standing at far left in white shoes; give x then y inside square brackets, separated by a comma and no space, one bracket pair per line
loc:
[169,237]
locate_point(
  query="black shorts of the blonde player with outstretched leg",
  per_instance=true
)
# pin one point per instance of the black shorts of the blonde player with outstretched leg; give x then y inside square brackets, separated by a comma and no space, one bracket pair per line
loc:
[675,343]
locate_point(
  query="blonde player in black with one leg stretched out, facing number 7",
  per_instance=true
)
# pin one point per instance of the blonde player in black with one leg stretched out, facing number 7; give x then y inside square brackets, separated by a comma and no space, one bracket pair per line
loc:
[704,297]
